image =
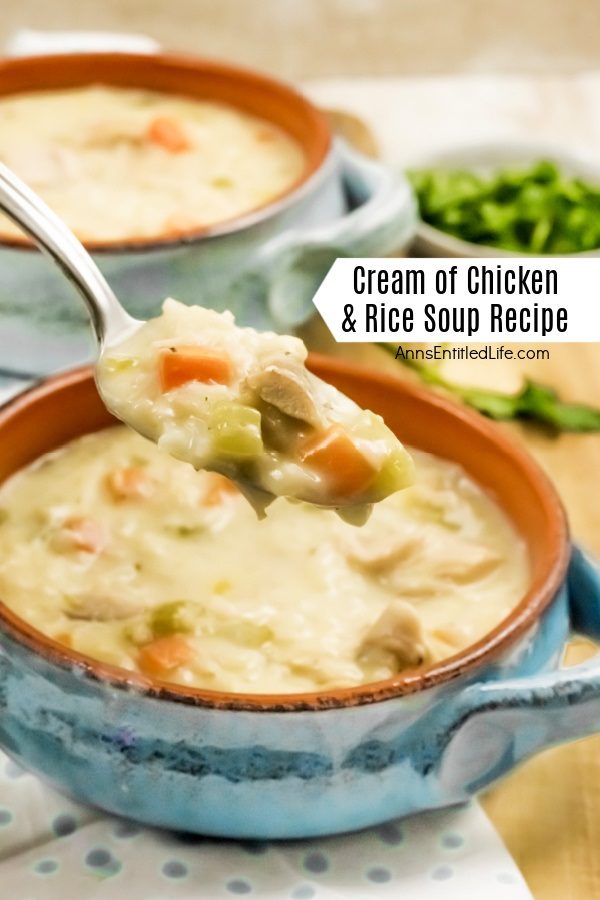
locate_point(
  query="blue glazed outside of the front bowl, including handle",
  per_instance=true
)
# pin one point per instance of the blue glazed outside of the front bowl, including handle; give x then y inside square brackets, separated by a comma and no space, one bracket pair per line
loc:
[285,774]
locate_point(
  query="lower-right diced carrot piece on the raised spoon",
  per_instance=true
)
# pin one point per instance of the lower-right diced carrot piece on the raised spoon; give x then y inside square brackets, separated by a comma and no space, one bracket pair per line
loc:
[334,455]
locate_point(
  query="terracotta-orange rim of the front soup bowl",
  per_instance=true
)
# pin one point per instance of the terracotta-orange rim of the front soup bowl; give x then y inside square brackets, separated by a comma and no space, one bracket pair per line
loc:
[481,438]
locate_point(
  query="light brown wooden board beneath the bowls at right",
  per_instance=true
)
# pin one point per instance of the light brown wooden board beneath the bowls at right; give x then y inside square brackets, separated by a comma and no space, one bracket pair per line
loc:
[548,811]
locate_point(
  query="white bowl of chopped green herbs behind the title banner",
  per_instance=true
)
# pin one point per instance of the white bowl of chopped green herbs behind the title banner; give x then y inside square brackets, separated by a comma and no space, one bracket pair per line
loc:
[507,199]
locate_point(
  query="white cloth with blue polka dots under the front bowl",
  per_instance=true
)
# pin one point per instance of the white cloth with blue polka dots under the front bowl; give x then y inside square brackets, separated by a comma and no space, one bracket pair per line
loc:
[51,849]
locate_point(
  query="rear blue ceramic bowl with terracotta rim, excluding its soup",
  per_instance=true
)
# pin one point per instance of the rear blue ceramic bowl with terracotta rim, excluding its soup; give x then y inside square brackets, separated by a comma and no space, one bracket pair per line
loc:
[264,266]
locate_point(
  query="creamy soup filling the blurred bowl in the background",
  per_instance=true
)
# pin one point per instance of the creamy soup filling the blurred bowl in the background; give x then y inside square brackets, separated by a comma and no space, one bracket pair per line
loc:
[118,164]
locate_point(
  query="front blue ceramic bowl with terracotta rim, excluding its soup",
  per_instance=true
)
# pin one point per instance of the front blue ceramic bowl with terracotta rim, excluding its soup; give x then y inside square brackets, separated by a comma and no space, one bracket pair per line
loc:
[300,765]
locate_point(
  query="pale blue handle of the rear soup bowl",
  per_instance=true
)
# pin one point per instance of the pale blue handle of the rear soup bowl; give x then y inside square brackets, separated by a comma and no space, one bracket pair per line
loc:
[382,219]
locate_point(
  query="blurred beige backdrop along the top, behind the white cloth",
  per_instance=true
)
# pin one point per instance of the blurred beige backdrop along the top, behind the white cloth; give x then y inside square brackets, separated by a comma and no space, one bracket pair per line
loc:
[318,38]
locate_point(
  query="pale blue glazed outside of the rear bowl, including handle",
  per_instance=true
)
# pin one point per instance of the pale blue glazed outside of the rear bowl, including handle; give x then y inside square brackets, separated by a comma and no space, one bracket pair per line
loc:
[266,272]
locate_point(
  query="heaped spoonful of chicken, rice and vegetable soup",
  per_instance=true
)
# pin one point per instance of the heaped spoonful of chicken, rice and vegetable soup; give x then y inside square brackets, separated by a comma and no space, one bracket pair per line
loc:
[241,402]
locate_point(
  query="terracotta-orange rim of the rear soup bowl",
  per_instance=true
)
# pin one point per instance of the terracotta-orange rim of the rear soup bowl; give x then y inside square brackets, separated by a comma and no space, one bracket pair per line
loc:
[189,76]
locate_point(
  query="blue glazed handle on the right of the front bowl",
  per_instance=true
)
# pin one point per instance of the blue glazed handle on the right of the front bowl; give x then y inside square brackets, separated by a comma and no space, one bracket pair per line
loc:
[496,724]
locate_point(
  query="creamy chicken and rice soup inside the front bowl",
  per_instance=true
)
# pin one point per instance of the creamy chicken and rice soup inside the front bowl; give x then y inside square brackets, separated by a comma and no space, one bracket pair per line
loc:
[114,549]
